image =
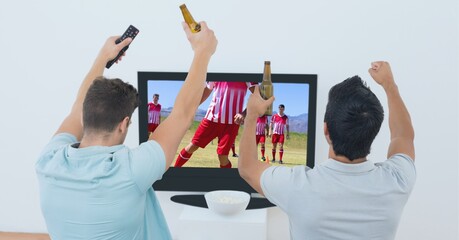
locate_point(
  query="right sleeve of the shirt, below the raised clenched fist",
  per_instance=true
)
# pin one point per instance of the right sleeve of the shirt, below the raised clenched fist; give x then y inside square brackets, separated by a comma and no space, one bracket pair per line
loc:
[402,168]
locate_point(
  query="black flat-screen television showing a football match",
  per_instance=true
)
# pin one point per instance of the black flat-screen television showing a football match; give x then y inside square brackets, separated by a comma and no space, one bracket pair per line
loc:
[297,92]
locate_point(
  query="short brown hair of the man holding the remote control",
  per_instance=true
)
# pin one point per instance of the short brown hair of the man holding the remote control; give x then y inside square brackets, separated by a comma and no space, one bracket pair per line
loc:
[107,103]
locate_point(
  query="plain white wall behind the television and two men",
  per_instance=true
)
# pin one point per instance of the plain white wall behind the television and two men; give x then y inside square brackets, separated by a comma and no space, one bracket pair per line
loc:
[47,47]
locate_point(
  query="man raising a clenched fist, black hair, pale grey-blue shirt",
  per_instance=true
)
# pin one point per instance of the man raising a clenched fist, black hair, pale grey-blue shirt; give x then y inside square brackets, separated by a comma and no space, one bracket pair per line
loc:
[347,196]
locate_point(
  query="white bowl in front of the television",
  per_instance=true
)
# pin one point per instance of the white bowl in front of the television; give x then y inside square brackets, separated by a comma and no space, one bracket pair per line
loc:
[227,202]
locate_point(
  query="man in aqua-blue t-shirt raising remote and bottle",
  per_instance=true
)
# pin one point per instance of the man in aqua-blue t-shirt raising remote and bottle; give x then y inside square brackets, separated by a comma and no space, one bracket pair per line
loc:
[94,187]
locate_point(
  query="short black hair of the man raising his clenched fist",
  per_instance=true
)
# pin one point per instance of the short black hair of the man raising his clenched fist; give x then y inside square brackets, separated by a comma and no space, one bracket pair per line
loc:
[354,116]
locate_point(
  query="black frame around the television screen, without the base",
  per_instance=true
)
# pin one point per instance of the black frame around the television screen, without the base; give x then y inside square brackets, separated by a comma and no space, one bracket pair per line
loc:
[191,179]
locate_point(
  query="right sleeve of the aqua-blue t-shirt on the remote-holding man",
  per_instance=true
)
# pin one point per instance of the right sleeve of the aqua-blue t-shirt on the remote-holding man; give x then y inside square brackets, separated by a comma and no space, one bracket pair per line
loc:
[147,163]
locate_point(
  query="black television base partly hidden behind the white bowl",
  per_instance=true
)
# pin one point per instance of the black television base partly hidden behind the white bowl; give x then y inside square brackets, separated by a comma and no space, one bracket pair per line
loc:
[198,200]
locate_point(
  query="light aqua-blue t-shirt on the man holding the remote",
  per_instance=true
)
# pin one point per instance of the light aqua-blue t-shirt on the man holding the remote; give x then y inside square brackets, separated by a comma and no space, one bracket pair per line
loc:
[101,192]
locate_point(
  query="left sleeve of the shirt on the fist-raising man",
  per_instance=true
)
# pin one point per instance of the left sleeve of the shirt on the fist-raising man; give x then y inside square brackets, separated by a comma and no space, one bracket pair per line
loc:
[275,182]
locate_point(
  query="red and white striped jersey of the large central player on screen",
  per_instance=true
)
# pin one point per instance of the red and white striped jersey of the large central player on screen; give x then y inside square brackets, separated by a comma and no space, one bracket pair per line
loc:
[227,100]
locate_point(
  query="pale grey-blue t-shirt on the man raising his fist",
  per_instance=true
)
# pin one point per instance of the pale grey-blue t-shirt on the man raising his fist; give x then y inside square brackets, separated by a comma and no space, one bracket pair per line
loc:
[335,200]
